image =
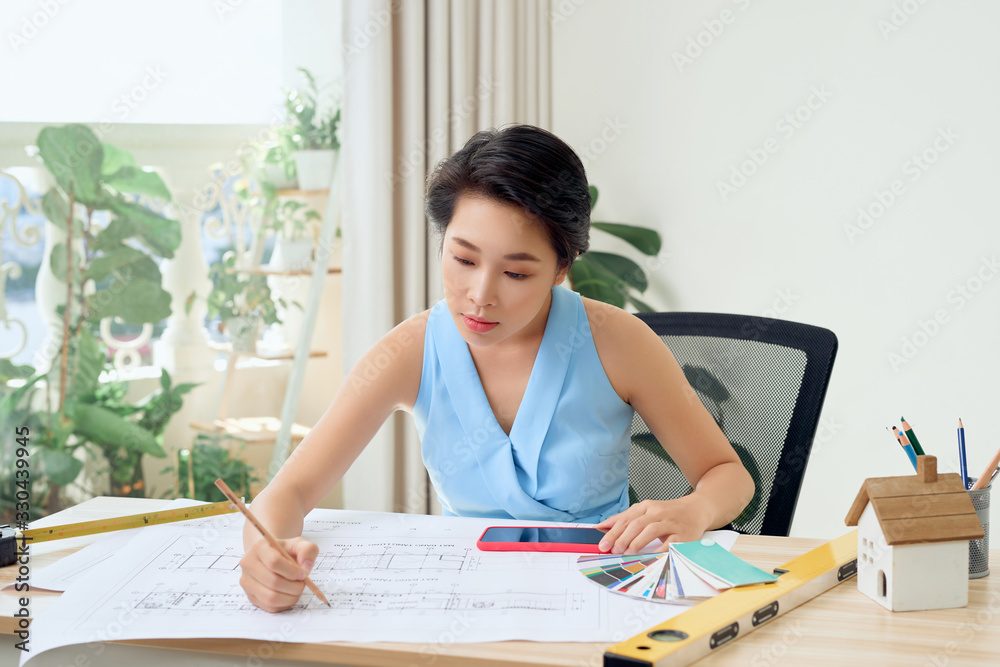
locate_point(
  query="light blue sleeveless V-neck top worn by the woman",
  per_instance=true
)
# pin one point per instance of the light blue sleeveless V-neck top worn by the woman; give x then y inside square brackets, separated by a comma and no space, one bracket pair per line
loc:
[566,458]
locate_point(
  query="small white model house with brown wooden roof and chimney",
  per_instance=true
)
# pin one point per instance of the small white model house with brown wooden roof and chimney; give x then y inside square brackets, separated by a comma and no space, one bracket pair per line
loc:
[913,539]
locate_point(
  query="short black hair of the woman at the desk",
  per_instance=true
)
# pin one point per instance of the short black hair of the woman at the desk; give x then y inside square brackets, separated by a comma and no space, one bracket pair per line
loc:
[523,166]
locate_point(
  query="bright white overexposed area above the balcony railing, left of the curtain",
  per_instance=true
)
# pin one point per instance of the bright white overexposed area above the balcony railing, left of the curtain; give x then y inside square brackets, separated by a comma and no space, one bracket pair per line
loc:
[161,61]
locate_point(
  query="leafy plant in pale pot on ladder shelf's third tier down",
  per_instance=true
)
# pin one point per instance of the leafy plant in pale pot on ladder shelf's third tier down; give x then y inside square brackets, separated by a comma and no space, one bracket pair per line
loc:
[242,302]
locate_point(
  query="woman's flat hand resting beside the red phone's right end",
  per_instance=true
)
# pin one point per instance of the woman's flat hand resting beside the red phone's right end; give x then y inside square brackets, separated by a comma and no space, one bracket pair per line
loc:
[681,520]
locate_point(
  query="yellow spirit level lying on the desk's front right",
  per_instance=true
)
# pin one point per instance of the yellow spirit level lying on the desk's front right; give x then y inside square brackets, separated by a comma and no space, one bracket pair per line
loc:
[710,625]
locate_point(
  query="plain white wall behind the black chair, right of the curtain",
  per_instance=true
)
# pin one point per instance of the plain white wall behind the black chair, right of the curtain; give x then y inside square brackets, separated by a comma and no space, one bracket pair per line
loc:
[888,80]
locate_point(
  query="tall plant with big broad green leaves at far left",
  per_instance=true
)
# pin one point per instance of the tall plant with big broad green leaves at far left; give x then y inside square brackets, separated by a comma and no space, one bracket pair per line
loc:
[107,270]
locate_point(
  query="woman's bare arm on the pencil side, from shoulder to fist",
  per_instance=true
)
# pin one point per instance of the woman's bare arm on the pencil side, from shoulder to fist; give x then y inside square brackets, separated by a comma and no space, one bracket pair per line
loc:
[385,379]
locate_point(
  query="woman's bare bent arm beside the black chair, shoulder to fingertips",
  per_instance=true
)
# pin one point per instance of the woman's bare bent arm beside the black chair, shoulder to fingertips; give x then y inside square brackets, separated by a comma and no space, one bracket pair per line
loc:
[646,375]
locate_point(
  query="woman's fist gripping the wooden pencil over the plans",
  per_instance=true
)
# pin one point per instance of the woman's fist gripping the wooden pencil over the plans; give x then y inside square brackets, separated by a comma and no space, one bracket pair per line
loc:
[270,580]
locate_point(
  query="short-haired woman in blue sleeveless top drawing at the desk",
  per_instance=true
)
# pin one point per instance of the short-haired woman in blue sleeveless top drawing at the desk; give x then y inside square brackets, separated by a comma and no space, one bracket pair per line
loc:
[522,391]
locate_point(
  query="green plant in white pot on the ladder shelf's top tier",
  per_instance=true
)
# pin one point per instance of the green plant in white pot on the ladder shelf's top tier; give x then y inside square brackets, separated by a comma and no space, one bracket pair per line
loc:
[313,134]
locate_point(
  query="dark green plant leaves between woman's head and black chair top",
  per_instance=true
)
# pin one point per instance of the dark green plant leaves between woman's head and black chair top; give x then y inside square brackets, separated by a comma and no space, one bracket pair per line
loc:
[610,277]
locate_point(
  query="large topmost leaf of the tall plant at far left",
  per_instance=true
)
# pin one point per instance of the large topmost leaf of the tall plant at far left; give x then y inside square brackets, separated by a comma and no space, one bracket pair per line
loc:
[74,154]
